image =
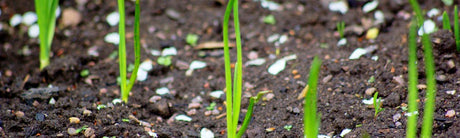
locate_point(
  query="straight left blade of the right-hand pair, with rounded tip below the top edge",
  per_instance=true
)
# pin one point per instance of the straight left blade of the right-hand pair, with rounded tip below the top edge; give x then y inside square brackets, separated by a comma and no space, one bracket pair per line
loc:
[412,85]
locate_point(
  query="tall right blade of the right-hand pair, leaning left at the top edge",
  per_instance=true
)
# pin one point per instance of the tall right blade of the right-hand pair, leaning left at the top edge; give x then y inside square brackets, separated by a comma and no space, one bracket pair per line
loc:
[427,125]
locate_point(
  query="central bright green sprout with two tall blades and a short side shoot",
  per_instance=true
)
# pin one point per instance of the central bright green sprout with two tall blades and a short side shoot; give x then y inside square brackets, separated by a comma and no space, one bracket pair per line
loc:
[233,95]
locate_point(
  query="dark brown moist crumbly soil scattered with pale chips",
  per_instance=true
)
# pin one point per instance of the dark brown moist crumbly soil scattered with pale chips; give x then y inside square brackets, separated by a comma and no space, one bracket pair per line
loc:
[311,30]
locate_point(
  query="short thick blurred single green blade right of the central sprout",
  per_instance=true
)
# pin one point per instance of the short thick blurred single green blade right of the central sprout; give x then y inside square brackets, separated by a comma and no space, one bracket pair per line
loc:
[311,119]
